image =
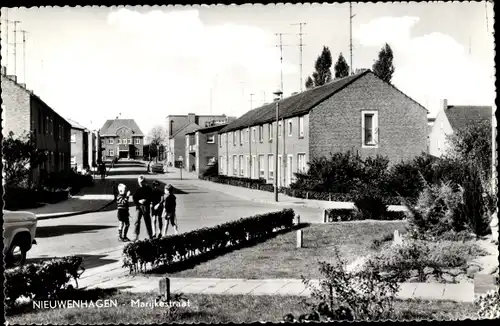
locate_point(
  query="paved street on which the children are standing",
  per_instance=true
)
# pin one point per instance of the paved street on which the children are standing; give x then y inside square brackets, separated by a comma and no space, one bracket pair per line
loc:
[83,234]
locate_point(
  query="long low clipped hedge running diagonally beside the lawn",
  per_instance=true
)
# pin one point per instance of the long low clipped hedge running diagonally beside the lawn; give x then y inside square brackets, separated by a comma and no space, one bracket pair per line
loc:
[170,250]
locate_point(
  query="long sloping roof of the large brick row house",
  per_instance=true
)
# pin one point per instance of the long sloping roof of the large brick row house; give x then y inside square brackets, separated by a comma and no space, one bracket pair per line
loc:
[294,105]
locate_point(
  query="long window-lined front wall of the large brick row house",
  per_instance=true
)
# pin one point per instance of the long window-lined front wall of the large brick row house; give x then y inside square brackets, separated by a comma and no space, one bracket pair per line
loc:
[288,146]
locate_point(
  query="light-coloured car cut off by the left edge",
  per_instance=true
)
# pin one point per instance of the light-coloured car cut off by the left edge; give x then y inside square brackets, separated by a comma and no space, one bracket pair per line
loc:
[18,236]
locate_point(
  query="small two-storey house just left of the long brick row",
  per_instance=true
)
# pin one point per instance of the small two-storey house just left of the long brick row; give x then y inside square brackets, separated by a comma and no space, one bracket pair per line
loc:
[202,148]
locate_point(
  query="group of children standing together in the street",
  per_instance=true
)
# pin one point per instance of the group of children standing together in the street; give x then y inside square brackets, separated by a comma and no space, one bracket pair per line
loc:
[163,206]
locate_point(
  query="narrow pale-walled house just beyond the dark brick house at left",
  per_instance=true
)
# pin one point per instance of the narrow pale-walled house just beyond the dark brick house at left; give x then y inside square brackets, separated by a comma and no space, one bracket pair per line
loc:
[79,146]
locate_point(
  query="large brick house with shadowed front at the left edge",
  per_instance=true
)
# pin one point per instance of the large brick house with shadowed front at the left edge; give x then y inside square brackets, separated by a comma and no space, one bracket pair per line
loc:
[23,111]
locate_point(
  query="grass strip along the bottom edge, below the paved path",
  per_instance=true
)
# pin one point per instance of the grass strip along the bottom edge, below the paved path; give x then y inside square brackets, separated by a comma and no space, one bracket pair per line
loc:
[218,309]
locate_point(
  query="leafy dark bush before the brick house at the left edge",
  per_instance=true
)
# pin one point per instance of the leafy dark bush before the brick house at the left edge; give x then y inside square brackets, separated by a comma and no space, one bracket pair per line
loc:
[20,157]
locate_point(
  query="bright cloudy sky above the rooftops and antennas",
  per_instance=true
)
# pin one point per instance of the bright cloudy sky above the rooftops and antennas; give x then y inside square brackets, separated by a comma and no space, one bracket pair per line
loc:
[96,63]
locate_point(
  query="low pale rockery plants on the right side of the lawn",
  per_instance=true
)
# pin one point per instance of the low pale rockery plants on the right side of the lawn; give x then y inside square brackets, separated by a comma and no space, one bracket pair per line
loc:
[425,257]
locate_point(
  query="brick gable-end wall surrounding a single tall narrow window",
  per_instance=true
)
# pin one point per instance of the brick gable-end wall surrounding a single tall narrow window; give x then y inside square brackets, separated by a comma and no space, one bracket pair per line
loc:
[336,124]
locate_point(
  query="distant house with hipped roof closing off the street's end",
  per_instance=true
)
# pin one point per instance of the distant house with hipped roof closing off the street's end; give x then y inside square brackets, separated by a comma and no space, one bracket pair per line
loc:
[121,138]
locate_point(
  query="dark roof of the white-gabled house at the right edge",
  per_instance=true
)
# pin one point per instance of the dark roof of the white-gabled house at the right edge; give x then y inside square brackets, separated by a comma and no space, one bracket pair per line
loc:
[460,116]
